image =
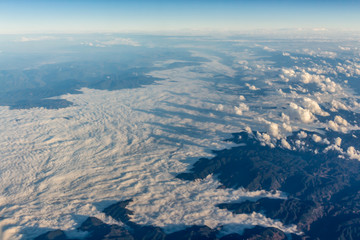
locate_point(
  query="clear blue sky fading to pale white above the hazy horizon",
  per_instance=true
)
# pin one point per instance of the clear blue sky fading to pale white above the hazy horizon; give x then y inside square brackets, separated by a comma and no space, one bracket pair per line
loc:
[80,16]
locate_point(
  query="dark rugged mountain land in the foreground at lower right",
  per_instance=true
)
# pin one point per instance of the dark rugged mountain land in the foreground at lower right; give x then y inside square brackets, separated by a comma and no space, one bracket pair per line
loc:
[323,193]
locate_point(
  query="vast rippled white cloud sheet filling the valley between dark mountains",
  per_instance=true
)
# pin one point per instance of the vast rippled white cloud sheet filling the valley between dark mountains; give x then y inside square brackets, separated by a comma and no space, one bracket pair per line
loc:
[110,146]
